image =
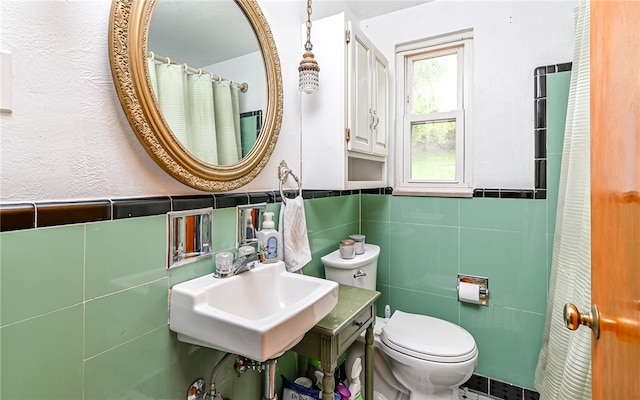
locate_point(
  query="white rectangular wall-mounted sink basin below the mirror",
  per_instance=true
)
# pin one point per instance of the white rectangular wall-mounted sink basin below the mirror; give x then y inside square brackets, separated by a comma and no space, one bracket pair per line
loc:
[258,314]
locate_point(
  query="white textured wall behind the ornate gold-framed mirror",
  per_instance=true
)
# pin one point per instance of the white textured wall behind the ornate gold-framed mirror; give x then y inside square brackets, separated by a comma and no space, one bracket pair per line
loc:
[68,137]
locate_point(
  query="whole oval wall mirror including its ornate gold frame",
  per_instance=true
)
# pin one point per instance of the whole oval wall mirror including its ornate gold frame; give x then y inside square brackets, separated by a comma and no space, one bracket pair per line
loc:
[200,83]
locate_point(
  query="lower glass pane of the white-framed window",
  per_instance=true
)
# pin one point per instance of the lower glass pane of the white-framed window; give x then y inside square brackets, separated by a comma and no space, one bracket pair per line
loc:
[433,151]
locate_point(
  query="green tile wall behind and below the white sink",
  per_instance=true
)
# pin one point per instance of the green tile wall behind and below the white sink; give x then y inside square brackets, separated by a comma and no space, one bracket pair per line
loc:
[84,308]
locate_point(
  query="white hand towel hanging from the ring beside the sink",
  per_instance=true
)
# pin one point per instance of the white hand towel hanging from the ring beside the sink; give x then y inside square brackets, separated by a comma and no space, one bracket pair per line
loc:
[294,242]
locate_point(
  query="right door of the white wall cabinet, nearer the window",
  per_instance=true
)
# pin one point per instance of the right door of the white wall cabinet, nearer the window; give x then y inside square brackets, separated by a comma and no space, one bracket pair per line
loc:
[380,104]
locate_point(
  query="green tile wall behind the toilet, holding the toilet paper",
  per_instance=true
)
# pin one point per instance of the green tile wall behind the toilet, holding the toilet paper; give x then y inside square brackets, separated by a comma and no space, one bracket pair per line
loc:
[425,242]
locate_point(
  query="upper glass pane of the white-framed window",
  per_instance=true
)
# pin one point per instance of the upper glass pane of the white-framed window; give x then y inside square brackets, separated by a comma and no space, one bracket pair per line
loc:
[434,84]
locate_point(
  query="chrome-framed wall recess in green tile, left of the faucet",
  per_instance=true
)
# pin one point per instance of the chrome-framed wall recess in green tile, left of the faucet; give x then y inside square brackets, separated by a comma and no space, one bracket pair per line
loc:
[189,236]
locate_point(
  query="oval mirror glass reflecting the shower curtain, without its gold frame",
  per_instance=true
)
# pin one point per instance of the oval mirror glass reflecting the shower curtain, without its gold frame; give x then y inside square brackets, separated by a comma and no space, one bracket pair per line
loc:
[207,72]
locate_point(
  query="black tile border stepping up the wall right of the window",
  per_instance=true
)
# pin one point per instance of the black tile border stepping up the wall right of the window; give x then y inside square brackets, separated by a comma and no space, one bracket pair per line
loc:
[540,141]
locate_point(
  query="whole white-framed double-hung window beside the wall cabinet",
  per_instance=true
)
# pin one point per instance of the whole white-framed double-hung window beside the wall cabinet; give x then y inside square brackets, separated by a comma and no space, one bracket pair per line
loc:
[434,137]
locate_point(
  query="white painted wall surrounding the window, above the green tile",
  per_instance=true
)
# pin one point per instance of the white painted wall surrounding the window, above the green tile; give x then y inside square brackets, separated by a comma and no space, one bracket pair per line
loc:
[511,39]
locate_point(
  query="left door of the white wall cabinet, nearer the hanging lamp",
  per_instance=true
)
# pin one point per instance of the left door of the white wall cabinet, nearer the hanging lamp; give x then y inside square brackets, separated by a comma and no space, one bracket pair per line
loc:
[360,115]
